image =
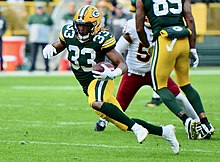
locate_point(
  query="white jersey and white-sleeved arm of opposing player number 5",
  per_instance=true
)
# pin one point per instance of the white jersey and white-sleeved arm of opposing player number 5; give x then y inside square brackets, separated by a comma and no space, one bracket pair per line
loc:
[136,59]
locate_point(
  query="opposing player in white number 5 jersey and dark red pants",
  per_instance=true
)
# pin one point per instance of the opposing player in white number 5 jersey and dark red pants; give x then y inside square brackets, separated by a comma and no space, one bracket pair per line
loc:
[138,74]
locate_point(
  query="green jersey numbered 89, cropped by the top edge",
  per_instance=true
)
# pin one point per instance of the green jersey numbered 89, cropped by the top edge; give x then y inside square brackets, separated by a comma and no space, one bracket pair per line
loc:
[163,13]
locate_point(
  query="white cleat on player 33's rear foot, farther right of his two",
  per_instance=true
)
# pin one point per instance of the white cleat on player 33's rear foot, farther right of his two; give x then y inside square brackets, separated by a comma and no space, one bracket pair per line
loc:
[169,135]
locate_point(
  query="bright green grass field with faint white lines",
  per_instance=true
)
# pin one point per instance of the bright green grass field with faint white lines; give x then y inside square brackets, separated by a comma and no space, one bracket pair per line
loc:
[51,115]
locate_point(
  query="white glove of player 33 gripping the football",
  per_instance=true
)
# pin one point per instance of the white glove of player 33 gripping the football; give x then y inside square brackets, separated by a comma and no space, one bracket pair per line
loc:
[107,74]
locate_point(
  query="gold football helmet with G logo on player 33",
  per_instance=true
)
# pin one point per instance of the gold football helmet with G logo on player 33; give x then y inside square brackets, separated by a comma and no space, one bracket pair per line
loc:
[88,15]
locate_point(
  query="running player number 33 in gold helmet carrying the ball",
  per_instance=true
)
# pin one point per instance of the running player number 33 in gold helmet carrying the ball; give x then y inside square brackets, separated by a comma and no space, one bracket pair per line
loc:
[88,45]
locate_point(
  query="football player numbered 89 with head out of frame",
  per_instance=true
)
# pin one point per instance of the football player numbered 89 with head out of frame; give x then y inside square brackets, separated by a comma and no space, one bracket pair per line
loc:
[174,44]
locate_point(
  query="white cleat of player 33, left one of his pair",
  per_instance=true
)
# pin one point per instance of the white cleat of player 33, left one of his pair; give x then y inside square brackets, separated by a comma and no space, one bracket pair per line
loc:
[140,132]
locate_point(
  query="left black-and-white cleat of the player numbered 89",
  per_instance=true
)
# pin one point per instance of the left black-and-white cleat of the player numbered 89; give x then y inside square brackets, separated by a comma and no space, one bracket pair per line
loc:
[191,128]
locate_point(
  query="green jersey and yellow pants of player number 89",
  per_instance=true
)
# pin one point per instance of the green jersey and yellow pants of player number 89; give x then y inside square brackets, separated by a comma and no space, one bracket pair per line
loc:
[171,49]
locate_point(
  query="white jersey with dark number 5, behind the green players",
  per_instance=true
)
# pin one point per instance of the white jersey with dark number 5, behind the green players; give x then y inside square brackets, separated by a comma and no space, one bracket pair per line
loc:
[138,59]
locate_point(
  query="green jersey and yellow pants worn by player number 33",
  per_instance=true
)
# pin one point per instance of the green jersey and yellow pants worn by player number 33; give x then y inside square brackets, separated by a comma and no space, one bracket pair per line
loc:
[83,56]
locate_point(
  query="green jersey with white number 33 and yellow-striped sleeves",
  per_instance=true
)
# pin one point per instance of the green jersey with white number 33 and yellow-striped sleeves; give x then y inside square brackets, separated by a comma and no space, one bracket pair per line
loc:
[84,55]
